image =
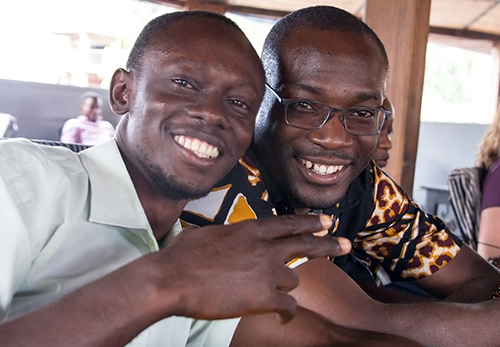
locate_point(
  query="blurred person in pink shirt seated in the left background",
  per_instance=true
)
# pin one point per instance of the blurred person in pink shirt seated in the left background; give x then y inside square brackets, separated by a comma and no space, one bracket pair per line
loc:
[88,128]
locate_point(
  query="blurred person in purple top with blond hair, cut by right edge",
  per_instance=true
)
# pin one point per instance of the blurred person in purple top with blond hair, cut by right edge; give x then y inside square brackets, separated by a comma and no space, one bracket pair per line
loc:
[488,159]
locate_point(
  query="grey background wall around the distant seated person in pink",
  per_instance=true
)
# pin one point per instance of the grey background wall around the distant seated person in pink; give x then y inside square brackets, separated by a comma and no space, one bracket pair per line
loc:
[41,109]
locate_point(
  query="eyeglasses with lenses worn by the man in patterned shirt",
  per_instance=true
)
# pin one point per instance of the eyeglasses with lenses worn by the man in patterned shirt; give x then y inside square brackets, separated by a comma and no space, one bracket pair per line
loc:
[312,115]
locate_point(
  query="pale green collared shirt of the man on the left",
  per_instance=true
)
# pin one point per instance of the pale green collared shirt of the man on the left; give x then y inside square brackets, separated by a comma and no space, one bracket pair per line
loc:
[68,219]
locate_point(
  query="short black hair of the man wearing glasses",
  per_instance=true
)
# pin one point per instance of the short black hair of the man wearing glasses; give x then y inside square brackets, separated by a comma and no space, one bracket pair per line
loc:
[317,17]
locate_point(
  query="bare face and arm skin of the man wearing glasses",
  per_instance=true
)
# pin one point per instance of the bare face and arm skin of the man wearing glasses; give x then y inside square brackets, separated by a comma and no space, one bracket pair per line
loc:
[338,69]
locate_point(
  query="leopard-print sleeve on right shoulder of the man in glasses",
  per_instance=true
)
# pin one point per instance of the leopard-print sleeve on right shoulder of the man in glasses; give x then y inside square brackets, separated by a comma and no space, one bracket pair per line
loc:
[401,238]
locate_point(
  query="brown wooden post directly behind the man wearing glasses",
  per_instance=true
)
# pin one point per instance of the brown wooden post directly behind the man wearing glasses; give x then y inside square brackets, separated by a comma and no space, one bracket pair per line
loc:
[403,27]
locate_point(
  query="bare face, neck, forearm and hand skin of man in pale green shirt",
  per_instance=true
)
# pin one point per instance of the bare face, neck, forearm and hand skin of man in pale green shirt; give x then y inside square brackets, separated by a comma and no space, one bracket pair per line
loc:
[171,98]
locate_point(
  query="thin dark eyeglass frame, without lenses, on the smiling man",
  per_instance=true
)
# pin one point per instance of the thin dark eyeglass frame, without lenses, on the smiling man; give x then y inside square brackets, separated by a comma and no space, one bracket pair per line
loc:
[331,110]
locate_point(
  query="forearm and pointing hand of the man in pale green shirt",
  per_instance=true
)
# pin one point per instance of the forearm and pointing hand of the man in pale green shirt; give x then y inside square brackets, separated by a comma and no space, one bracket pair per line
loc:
[214,260]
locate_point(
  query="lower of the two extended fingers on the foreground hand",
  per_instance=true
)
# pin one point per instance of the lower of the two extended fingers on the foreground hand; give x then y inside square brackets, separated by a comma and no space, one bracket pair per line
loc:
[308,245]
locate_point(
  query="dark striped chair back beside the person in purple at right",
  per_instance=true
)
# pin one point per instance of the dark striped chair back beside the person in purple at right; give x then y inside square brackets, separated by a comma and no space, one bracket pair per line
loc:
[465,186]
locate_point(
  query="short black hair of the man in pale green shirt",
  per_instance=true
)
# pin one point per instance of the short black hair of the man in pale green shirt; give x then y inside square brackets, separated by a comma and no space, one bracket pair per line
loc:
[155,30]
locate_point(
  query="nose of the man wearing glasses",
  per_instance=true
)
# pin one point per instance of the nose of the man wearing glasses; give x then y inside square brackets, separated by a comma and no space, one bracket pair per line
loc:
[332,135]
